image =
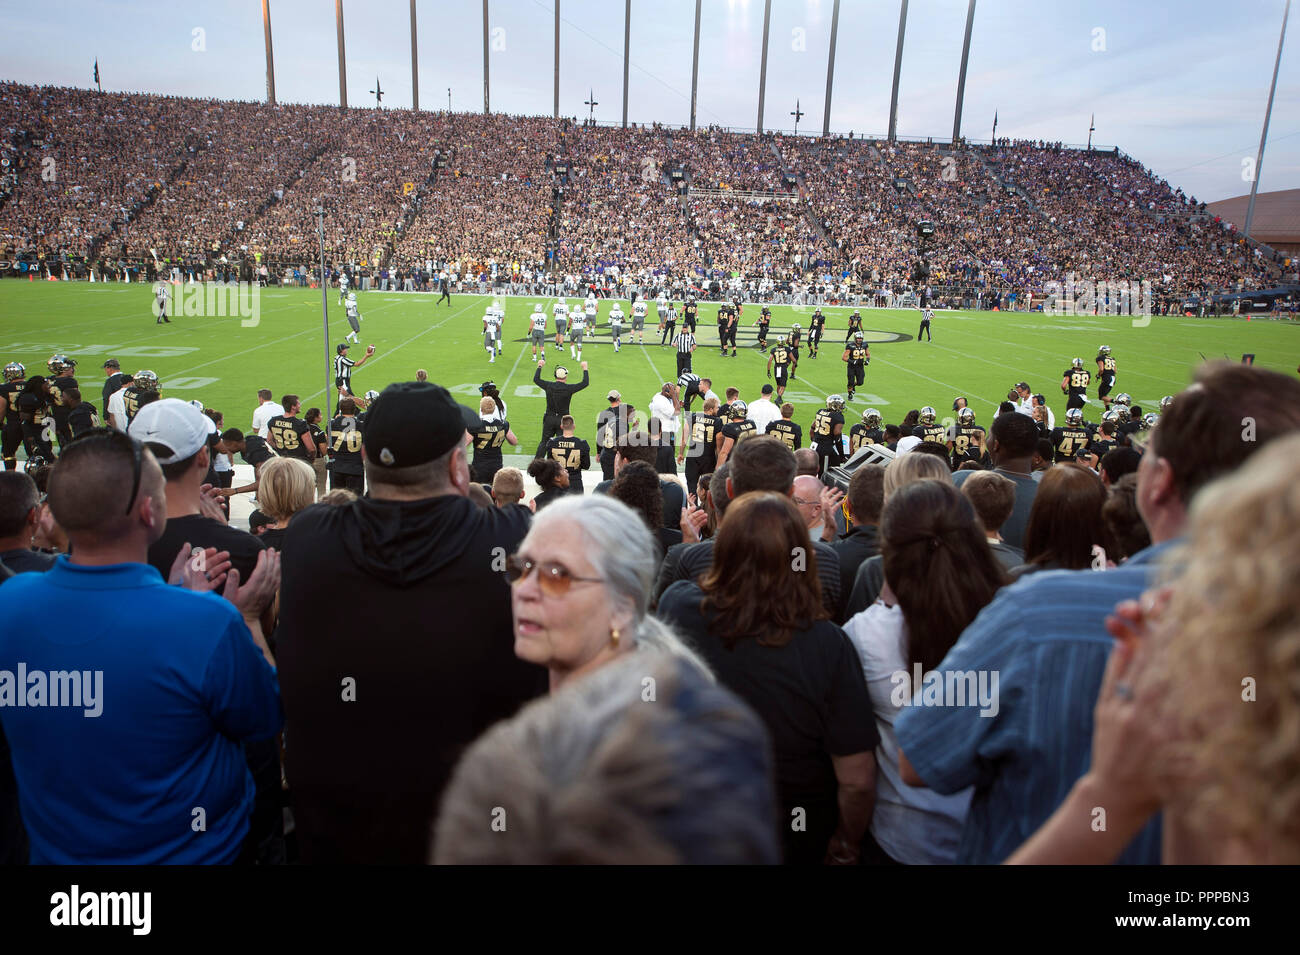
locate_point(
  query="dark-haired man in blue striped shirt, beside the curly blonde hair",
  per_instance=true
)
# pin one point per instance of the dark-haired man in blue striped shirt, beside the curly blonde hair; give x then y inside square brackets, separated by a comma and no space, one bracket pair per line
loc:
[1046,636]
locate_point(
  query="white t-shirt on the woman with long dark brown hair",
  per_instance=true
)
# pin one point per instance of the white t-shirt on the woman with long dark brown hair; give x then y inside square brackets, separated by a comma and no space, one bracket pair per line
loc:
[913,824]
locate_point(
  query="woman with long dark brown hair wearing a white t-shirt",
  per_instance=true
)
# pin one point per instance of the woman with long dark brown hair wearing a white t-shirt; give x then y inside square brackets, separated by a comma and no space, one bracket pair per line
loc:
[946,574]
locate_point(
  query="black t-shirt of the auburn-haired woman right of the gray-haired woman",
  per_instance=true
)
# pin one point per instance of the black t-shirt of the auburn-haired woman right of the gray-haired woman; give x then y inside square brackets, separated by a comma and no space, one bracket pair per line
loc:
[812,696]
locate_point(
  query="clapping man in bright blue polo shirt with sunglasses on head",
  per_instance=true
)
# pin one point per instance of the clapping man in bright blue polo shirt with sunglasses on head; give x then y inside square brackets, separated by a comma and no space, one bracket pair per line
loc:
[192,675]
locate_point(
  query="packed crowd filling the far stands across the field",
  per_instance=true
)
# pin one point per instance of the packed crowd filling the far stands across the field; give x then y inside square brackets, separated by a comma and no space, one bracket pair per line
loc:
[127,179]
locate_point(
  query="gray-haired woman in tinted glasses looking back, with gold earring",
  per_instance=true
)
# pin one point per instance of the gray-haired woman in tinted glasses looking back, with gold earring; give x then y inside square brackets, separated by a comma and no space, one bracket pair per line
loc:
[582,584]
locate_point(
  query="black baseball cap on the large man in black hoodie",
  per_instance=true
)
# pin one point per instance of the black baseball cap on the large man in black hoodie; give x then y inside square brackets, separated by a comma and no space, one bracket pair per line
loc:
[414,423]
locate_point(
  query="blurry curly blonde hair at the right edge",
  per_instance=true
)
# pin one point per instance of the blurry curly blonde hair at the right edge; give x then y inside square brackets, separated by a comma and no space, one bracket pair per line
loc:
[1236,618]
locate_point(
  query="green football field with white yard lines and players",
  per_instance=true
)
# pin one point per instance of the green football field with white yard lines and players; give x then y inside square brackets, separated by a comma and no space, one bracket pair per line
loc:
[224,361]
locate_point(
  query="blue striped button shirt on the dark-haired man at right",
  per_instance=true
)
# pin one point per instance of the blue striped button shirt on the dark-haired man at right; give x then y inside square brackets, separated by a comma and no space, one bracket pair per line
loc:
[1046,640]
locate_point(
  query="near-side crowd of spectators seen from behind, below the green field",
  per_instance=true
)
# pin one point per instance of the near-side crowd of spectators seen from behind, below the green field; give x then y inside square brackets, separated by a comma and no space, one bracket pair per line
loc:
[1093,607]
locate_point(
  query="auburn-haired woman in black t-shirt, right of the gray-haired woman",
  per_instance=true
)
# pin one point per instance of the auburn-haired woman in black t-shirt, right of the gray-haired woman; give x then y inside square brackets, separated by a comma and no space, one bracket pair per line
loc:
[757,620]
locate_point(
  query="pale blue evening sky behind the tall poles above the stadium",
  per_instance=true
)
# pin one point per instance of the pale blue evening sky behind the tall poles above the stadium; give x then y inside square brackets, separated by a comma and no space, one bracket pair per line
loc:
[1180,85]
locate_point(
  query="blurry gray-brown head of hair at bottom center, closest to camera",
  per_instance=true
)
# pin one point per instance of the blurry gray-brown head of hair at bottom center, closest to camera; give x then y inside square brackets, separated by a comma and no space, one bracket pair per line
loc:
[595,776]
